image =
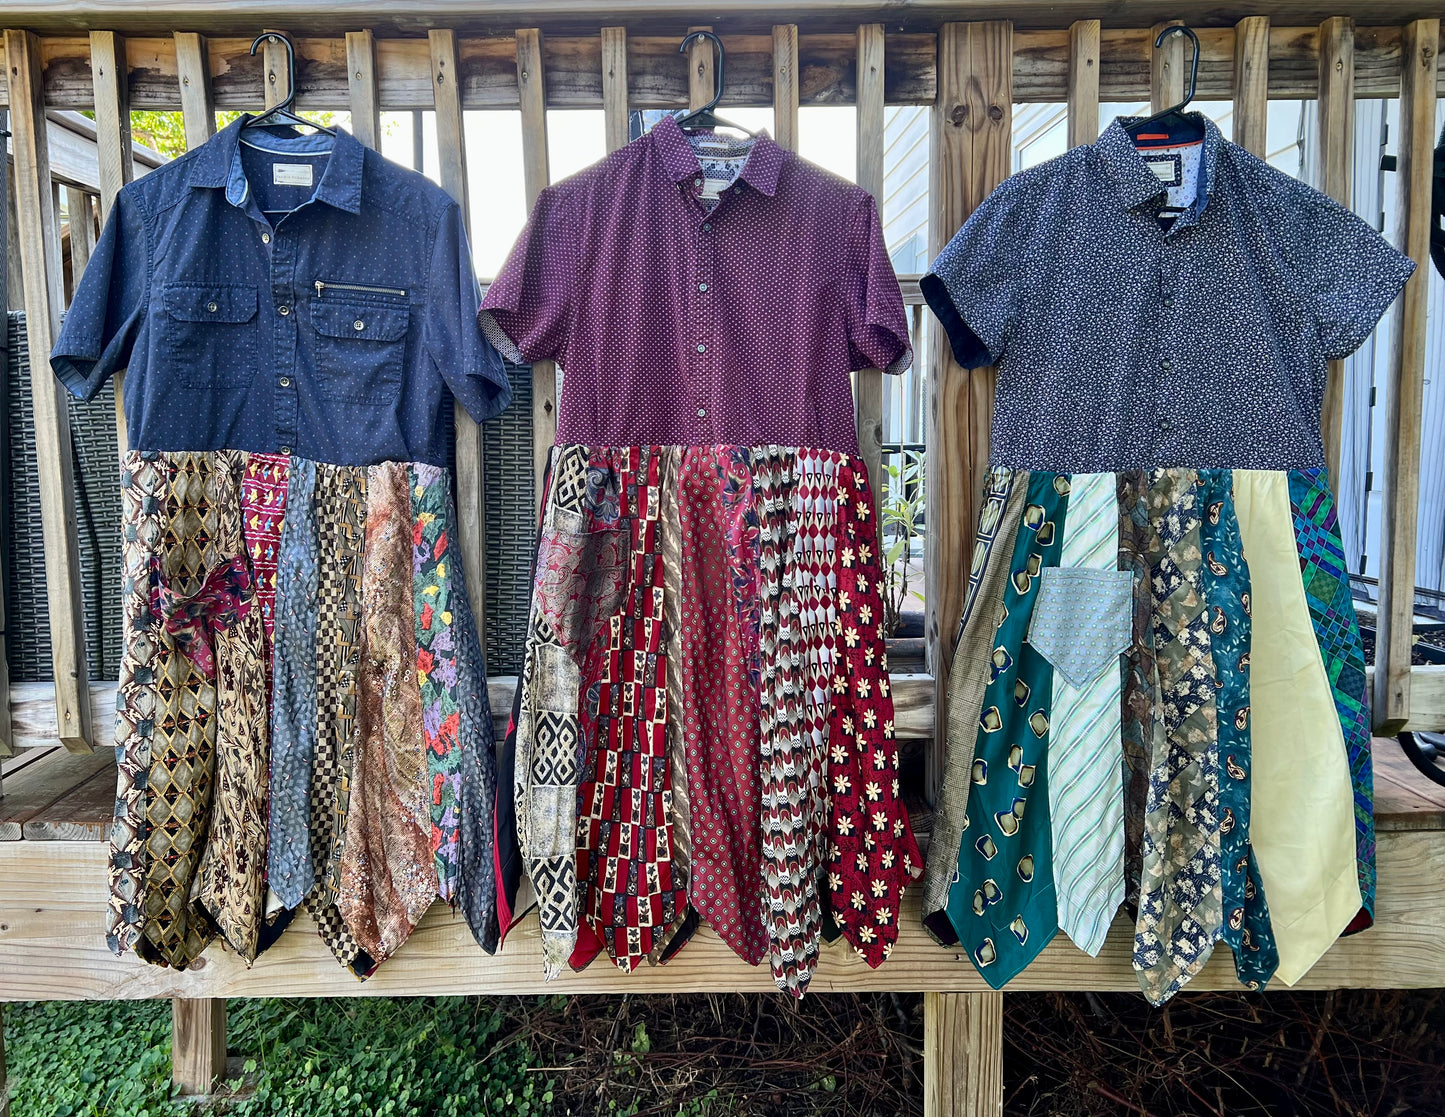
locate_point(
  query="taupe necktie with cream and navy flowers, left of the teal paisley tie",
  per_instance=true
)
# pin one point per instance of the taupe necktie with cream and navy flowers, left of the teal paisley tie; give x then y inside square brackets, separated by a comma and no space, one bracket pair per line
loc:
[1180,905]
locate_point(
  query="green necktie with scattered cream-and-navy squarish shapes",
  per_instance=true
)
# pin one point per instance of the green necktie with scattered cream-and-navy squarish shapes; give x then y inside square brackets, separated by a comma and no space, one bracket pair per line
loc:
[1002,904]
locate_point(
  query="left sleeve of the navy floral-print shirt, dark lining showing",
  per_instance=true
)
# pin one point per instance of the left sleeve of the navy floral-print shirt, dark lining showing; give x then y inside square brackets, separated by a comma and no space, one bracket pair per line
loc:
[973,287]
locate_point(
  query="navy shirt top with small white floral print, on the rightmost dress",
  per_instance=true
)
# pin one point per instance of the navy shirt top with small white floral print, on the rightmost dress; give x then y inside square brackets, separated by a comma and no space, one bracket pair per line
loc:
[1108,330]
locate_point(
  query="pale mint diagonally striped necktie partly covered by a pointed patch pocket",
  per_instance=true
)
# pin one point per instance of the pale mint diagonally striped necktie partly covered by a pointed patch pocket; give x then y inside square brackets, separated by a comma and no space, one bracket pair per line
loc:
[1086,785]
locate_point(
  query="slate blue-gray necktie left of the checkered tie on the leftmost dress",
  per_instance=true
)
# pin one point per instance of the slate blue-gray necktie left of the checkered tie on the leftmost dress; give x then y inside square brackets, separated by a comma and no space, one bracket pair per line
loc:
[294,680]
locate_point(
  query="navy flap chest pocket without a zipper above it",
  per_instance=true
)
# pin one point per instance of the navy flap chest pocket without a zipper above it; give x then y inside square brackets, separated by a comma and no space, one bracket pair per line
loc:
[212,335]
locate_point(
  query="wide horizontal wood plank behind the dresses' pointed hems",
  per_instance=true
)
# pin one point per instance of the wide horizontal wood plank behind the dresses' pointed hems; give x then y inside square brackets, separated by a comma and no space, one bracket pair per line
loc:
[53,949]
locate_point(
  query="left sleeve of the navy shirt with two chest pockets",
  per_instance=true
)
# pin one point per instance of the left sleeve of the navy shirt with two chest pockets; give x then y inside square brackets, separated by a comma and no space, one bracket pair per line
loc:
[106,316]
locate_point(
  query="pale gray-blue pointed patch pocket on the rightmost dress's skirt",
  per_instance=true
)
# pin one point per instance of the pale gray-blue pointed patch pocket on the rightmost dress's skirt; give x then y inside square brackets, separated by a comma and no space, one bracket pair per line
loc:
[1083,621]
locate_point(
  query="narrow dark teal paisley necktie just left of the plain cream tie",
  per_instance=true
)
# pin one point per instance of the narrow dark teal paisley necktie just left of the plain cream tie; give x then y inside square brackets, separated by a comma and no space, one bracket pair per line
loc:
[1228,595]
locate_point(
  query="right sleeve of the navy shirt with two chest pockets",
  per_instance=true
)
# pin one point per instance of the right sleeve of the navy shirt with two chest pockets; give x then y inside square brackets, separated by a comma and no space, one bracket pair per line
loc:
[463,356]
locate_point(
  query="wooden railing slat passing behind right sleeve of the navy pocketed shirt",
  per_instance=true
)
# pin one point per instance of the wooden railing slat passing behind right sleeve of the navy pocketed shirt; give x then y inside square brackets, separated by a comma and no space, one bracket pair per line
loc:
[452,148]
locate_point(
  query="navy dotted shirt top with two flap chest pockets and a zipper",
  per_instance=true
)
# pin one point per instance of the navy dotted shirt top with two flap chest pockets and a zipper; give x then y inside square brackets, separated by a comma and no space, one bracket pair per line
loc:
[285,294]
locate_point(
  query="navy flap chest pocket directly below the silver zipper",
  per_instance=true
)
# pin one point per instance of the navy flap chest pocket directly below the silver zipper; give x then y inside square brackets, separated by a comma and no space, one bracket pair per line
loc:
[361,348]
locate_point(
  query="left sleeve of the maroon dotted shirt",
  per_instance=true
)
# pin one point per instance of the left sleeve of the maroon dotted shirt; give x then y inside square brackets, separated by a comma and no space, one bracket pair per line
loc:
[530,306]
